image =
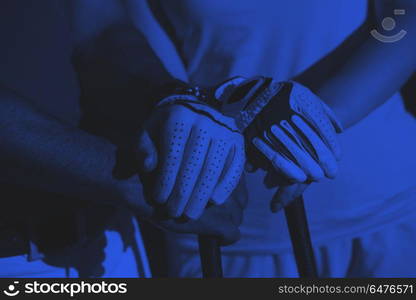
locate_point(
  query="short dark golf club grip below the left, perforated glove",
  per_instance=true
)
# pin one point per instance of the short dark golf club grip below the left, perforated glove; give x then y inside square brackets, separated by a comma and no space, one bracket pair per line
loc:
[210,254]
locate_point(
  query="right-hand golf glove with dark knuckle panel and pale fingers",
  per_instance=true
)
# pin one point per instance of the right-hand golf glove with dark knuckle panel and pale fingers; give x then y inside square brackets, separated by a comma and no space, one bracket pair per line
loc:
[291,126]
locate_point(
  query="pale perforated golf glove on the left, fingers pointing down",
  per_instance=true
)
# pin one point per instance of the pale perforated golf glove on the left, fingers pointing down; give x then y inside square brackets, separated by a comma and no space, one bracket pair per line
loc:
[201,154]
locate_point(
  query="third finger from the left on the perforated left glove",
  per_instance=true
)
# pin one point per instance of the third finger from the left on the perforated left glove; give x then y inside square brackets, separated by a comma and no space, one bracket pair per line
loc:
[208,178]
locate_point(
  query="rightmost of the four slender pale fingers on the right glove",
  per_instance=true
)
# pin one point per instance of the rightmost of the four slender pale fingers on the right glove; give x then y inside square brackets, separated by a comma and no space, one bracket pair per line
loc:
[325,157]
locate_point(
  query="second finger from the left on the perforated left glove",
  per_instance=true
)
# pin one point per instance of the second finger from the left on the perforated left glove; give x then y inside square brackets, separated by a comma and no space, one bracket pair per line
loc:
[192,164]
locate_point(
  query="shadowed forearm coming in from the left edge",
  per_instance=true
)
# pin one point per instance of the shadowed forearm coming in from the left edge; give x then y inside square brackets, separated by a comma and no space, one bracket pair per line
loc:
[41,153]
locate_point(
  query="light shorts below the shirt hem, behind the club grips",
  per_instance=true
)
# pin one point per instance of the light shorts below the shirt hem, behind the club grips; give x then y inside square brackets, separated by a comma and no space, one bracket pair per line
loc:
[386,252]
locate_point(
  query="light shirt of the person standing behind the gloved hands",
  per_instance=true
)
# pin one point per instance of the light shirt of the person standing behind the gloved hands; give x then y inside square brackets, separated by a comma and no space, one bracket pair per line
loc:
[218,39]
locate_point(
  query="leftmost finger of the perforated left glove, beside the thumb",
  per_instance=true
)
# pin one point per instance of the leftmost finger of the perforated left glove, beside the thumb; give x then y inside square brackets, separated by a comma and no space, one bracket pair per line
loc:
[172,147]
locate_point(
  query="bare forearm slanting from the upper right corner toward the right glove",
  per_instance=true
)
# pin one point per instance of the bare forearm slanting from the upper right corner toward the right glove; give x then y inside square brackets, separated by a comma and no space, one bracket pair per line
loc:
[370,76]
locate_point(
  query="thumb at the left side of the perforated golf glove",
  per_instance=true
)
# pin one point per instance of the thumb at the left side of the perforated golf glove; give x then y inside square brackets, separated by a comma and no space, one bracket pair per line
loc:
[146,153]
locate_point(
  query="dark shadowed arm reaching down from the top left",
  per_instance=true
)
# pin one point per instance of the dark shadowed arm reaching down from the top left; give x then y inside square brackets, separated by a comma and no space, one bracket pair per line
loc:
[119,73]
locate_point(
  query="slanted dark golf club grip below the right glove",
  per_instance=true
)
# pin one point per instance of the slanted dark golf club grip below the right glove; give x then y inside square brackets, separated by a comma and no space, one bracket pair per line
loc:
[301,240]
